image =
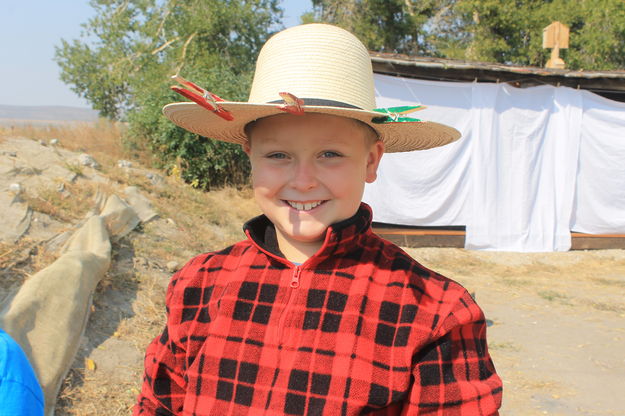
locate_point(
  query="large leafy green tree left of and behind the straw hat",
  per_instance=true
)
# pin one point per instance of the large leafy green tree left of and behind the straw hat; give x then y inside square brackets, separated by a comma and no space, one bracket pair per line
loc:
[123,62]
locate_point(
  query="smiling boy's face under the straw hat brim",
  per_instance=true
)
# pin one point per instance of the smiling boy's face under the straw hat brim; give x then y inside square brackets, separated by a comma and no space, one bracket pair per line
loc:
[309,171]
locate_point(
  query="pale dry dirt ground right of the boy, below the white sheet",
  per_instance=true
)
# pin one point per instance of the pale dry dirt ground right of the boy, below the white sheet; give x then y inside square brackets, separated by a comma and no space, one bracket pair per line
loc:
[557,325]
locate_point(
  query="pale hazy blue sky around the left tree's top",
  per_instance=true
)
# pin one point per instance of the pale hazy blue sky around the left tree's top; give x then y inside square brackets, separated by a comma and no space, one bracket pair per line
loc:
[29,30]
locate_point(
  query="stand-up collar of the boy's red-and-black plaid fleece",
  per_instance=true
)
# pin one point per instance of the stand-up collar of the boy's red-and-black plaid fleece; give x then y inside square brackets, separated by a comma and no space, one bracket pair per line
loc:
[340,238]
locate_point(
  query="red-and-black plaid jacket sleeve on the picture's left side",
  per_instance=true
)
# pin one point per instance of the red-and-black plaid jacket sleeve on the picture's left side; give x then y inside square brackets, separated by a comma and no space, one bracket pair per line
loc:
[164,387]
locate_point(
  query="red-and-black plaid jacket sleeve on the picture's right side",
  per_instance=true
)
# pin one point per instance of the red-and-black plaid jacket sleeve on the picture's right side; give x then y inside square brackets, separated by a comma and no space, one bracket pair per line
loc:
[454,374]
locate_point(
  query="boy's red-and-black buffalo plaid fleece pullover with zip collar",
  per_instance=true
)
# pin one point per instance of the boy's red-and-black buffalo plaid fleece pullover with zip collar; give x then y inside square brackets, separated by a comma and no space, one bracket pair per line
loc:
[359,328]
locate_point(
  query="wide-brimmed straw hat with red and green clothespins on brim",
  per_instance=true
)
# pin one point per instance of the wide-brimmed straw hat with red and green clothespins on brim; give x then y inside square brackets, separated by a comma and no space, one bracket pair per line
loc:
[329,70]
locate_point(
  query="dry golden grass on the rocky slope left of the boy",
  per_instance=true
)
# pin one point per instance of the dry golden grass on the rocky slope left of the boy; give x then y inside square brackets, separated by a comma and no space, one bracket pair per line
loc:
[128,304]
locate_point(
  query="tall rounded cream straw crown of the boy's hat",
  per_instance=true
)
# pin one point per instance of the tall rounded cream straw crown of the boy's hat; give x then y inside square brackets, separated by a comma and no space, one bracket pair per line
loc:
[314,61]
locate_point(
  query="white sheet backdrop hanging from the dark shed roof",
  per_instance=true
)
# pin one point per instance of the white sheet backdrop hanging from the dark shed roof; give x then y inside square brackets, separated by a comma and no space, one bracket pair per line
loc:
[532,164]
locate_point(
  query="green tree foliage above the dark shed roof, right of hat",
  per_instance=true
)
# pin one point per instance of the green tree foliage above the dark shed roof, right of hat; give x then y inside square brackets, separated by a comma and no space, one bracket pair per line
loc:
[505,31]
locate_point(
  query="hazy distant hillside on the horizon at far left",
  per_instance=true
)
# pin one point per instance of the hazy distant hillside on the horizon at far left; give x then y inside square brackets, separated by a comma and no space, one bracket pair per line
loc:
[50,113]
